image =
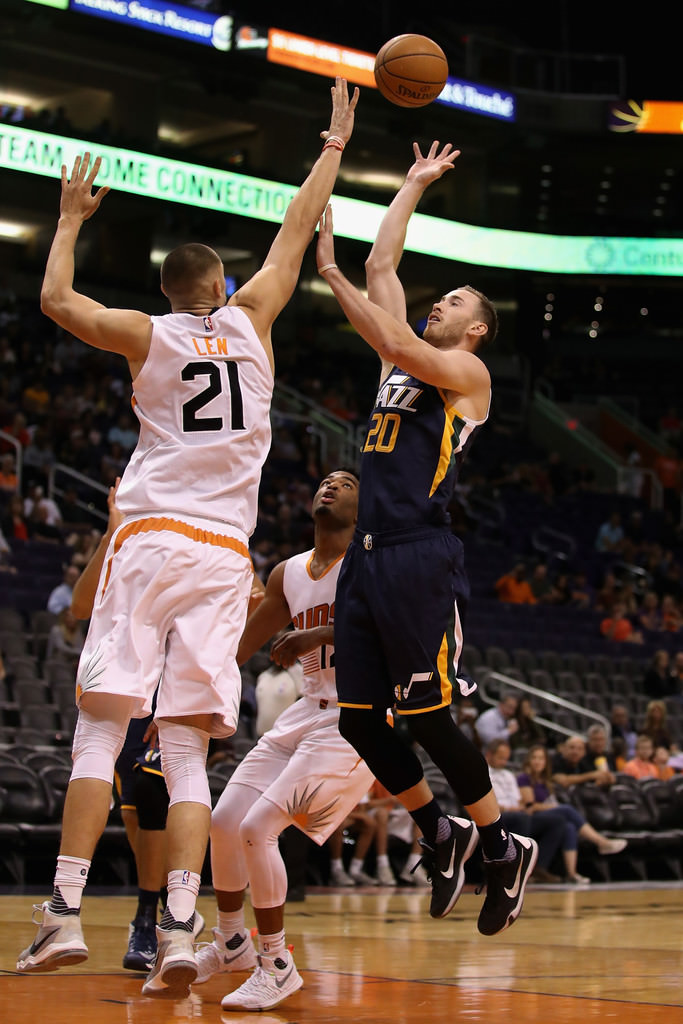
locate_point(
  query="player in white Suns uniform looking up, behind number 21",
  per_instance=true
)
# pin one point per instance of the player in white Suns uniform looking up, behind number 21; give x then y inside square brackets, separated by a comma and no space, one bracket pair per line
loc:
[301,773]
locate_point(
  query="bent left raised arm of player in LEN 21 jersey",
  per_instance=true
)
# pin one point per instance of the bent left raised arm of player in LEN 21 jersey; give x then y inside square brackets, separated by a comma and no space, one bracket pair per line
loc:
[124,331]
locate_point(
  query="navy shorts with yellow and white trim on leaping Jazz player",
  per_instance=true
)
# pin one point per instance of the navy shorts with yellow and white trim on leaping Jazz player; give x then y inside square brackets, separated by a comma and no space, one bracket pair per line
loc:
[399,613]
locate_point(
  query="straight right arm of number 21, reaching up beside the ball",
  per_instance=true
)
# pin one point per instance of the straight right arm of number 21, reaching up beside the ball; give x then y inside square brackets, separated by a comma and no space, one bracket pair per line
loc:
[266,295]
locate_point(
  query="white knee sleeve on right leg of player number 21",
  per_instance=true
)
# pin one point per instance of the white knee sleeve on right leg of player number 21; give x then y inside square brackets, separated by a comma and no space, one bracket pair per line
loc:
[184,752]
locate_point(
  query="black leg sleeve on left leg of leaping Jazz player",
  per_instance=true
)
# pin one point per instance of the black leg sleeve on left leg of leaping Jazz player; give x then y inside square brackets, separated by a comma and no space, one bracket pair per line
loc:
[390,759]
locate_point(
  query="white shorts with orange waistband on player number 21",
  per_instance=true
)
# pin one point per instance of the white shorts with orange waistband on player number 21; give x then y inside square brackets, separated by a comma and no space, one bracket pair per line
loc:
[170,609]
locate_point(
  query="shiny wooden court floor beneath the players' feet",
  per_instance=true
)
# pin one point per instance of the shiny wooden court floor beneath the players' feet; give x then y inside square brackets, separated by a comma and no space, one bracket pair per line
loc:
[602,954]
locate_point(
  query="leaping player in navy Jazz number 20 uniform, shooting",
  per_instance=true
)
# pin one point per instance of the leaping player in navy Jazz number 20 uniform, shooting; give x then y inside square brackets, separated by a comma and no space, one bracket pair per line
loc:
[403,588]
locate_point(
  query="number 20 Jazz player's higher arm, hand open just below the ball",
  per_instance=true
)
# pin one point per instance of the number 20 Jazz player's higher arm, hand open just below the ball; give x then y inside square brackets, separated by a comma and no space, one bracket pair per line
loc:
[385,288]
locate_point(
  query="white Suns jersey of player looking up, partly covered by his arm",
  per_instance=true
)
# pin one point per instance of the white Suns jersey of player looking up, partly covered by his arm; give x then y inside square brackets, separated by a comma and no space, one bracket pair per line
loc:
[313,604]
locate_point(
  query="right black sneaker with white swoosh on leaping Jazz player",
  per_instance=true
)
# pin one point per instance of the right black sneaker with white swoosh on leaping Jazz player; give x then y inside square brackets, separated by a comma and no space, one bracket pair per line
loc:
[506,882]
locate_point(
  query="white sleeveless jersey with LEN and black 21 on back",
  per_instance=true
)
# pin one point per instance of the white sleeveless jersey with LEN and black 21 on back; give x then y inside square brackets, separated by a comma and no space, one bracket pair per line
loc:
[203,400]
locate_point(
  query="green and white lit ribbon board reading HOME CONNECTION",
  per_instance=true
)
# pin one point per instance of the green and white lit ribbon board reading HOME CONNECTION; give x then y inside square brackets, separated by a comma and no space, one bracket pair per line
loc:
[25,151]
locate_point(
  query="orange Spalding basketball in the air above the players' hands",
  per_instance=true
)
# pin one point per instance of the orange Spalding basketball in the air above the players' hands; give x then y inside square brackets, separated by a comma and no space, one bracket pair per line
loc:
[411,71]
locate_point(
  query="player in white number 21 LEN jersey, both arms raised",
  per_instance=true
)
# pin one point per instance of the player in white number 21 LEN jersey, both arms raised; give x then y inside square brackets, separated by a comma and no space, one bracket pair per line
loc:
[173,600]
